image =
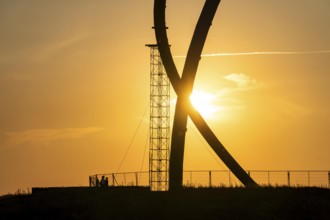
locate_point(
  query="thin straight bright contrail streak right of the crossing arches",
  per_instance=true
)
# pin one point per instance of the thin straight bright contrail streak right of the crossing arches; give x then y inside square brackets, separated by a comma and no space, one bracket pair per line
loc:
[262,53]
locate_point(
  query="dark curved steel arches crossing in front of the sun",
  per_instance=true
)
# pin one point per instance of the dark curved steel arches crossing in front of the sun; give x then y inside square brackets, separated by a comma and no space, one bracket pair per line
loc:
[183,87]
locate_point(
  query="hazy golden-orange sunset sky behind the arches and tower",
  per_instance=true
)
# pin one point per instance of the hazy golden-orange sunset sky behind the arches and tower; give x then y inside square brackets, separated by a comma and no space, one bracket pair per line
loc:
[74,86]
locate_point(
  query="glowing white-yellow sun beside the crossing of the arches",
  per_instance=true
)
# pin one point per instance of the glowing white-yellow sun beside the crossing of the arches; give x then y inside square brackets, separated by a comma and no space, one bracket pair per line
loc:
[204,103]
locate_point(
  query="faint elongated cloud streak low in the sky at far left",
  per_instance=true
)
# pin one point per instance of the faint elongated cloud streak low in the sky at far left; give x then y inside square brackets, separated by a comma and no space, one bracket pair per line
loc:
[45,136]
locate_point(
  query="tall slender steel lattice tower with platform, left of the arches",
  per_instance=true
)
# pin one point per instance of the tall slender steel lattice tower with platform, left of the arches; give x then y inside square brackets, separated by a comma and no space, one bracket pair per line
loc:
[159,122]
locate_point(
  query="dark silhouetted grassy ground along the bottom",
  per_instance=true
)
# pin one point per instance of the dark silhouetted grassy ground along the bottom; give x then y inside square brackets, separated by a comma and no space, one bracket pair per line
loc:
[140,203]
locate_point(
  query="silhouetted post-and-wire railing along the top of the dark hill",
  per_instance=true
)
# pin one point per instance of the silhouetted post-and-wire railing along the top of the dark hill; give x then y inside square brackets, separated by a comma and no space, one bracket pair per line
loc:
[224,178]
